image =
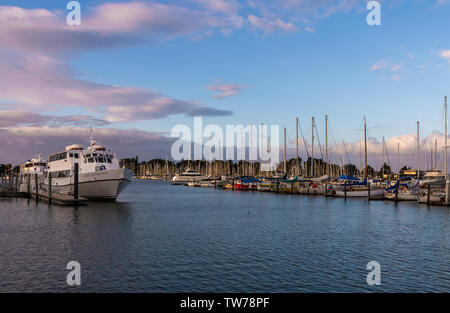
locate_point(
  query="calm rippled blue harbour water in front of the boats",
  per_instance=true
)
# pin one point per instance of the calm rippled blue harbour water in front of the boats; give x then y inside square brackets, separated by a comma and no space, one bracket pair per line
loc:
[163,238]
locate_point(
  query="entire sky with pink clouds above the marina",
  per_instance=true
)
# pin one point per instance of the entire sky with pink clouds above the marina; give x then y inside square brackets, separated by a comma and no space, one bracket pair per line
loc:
[134,69]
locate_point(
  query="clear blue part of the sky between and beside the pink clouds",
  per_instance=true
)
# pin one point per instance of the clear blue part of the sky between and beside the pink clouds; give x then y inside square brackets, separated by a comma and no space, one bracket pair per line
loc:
[313,63]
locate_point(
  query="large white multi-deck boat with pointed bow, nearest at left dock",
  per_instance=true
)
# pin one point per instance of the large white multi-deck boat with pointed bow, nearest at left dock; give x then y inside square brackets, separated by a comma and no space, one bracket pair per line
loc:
[100,175]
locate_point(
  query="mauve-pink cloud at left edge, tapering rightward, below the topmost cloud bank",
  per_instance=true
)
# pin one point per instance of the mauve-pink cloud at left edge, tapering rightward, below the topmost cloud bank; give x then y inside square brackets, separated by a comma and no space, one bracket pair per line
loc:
[39,82]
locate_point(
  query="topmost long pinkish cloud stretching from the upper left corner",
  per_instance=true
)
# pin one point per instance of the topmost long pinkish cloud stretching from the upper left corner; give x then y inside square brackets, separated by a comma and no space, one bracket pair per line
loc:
[107,25]
